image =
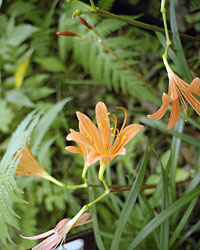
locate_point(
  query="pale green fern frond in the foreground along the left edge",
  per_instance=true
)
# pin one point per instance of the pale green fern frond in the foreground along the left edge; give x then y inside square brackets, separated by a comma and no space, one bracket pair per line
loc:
[9,191]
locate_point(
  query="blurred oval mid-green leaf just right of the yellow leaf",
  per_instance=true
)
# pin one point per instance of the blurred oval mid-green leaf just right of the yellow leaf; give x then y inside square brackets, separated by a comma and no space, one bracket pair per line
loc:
[51,64]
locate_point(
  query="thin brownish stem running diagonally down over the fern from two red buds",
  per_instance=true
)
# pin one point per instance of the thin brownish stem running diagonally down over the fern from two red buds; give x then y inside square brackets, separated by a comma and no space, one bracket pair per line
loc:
[147,85]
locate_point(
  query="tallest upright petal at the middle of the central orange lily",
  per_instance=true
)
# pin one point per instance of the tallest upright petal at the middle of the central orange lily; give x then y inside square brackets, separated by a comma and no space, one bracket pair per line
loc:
[103,125]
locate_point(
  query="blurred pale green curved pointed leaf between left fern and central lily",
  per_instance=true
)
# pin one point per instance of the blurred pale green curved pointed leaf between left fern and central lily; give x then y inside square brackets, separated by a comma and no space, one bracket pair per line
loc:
[46,122]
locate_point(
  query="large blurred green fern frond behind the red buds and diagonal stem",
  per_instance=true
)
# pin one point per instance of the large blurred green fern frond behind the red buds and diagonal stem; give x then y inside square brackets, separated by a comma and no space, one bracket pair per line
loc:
[102,65]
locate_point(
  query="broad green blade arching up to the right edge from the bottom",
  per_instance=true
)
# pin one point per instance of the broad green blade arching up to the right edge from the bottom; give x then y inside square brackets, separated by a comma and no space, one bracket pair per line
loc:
[160,218]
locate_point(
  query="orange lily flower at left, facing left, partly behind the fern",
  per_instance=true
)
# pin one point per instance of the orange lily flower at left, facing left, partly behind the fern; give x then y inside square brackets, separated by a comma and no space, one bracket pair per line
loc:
[28,165]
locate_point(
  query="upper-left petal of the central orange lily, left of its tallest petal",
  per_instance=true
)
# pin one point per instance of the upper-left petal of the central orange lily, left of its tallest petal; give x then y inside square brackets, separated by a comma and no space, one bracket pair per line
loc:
[90,129]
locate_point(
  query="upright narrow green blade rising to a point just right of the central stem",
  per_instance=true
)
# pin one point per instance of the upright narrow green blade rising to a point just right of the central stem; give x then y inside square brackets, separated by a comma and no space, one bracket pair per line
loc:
[130,202]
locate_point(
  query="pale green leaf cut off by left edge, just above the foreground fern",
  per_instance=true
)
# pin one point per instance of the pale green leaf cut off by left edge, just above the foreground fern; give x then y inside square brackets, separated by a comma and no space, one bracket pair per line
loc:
[6,116]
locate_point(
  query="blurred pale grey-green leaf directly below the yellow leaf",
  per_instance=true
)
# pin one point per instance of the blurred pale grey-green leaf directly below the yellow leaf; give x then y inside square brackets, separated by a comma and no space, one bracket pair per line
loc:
[18,97]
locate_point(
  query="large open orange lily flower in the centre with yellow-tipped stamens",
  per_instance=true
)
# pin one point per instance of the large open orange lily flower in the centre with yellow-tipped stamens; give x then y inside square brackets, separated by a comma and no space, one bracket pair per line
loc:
[103,145]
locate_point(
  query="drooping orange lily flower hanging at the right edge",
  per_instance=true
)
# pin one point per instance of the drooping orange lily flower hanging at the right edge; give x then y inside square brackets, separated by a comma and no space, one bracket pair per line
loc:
[178,90]
